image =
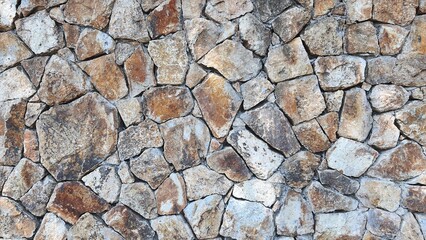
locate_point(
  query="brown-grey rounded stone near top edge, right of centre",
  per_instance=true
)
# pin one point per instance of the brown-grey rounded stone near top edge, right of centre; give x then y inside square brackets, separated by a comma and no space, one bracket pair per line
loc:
[289,23]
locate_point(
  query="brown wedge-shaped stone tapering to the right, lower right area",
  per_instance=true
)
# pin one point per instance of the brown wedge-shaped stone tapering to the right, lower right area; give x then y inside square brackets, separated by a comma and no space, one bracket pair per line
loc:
[325,200]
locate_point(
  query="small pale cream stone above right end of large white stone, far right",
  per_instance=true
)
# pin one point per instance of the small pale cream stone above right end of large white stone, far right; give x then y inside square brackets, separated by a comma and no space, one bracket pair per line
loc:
[385,134]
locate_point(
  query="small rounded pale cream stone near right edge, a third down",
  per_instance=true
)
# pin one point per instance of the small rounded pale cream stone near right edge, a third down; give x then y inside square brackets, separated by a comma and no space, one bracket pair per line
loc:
[385,98]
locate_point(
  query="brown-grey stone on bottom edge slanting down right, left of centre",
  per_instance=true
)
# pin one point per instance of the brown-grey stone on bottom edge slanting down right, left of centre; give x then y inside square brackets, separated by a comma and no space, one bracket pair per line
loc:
[129,224]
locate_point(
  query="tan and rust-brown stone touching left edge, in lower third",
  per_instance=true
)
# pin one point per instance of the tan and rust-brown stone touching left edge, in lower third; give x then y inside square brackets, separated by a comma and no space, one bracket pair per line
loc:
[22,178]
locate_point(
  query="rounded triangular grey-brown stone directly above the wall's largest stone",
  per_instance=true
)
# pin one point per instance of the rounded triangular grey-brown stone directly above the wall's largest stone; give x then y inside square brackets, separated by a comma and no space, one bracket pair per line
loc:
[62,82]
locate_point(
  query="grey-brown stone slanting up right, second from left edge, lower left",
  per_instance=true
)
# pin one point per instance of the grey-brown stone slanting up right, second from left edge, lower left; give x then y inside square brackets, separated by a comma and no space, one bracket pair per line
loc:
[36,199]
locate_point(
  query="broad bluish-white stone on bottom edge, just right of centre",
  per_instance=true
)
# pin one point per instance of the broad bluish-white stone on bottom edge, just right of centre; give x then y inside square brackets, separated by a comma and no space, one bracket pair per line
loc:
[243,219]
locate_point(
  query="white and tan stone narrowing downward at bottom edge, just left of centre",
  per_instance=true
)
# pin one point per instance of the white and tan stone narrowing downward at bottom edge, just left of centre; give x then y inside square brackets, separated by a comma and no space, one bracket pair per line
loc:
[205,216]
